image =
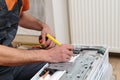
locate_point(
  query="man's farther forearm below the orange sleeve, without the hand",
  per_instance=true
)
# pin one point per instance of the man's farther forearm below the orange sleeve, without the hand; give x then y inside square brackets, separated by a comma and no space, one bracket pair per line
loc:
[29,22]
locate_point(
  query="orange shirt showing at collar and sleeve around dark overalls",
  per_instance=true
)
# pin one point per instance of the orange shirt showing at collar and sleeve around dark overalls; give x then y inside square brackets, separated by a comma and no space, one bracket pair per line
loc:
[10,4]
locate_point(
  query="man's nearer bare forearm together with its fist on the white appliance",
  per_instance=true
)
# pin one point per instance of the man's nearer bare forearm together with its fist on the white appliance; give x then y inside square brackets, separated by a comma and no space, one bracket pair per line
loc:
[13,57]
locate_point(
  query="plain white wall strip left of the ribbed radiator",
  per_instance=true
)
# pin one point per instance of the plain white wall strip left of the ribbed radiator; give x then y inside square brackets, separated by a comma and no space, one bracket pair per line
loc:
[57,14]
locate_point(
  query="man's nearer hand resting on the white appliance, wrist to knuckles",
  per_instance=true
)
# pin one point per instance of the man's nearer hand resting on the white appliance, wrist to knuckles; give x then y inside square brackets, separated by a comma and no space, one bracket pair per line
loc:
[61,53]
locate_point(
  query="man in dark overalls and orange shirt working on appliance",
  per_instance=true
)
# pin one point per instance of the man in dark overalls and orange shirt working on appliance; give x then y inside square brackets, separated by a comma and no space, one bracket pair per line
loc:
[16,64]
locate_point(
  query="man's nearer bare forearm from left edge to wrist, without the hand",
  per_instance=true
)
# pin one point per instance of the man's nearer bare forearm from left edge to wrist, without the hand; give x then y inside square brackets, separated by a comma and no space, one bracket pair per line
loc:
[12,56]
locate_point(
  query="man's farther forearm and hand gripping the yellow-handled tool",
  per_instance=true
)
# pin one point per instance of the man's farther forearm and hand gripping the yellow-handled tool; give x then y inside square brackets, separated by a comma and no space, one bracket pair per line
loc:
[29,22]
